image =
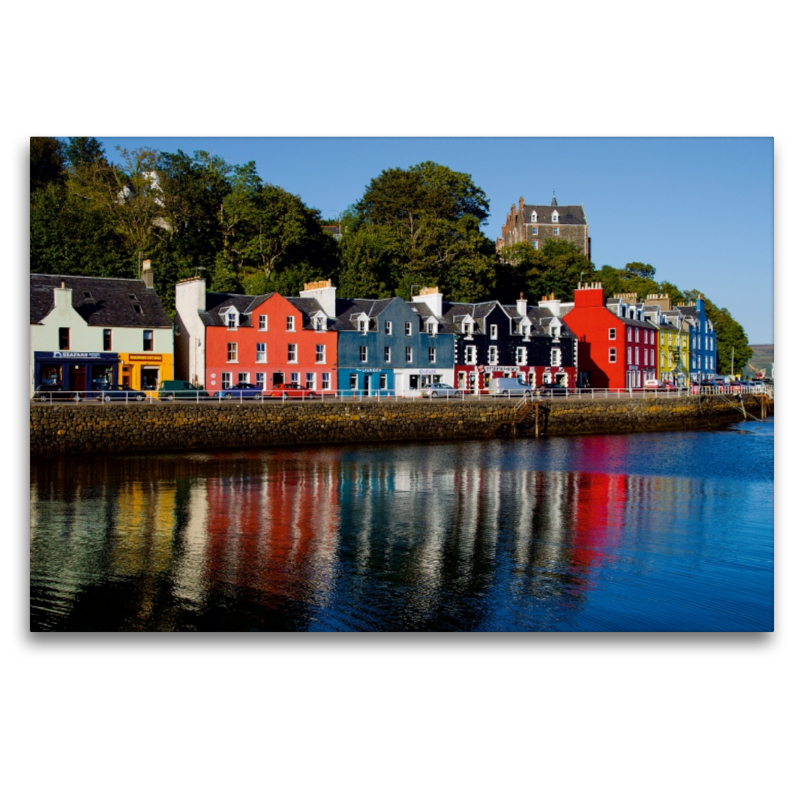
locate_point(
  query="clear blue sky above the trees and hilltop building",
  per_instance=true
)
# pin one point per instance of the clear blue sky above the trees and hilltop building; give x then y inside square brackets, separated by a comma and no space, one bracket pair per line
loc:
[700,210]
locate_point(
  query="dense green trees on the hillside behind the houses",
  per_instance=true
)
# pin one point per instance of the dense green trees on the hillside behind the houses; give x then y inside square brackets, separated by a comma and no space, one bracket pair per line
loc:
[196,214]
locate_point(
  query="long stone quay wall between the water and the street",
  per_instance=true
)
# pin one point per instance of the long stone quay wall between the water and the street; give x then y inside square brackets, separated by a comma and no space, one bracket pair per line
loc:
[84,428]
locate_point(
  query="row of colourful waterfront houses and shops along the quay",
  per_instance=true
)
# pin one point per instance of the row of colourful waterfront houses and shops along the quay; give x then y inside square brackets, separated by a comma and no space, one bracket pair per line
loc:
[88,333]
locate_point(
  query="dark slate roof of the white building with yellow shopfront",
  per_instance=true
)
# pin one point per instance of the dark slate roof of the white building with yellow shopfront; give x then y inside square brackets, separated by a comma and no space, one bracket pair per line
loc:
[105,302]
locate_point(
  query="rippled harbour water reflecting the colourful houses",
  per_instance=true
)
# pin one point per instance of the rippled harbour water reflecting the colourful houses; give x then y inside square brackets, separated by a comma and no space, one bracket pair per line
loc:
[650,532]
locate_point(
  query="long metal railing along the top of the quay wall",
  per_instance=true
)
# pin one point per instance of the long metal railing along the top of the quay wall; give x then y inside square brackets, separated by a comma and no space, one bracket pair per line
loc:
[134,397]
